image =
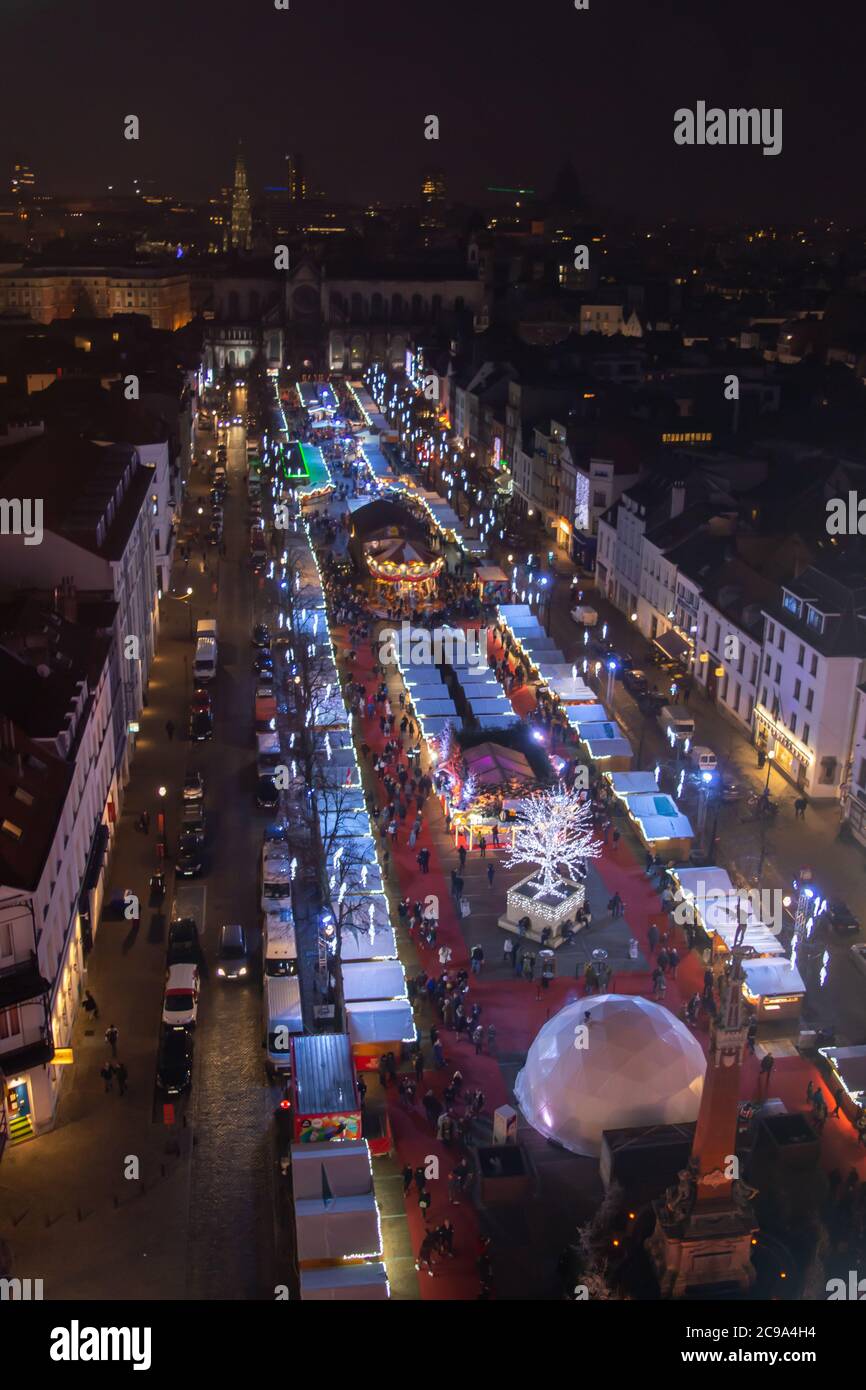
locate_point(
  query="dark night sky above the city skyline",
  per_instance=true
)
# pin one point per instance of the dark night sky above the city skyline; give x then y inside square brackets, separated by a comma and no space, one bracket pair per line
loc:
[518,88]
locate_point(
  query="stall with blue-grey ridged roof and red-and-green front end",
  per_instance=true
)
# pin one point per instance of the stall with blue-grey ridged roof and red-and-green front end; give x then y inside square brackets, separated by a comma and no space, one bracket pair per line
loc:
[325,1097]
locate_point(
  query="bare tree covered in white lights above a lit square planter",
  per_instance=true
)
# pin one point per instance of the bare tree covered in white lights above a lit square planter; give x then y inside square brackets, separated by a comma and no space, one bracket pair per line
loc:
[557,836]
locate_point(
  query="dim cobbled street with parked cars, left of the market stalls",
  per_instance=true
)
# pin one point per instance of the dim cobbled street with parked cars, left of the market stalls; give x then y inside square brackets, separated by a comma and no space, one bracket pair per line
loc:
[198,1221]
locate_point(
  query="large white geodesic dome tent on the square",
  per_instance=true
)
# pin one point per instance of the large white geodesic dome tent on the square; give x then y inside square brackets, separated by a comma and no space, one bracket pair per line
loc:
[636,1065]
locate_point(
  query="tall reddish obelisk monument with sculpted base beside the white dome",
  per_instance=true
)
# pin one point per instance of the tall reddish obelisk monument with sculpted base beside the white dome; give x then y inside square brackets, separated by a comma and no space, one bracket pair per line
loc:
[705,1225]
